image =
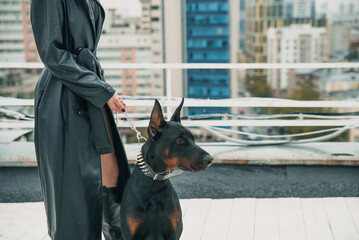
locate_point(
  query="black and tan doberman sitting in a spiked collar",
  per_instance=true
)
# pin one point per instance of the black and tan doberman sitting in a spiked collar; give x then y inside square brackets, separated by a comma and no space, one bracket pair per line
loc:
[150,206]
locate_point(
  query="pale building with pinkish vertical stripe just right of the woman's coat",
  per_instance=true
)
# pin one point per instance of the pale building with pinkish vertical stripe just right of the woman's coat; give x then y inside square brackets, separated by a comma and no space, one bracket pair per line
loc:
[123,42]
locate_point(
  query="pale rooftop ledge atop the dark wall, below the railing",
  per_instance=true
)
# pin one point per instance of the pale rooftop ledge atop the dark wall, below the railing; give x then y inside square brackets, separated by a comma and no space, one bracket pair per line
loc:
[22,154]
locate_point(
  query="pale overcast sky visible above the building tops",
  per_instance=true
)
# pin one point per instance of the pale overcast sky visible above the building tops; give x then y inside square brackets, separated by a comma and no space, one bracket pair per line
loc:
[133,7]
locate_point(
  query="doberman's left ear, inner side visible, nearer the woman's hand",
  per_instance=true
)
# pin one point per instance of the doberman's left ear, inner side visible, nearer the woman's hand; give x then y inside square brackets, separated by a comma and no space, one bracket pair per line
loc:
[157,123]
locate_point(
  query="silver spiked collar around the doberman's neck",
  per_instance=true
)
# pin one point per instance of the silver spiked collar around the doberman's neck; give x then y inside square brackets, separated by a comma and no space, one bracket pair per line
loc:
[148,171]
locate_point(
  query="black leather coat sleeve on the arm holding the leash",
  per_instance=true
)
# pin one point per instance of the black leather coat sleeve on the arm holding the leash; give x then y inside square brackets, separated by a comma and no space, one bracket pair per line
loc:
[47,19]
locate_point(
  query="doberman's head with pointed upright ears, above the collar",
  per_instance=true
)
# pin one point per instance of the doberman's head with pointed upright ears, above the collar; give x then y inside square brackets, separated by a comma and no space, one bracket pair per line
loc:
[173,145]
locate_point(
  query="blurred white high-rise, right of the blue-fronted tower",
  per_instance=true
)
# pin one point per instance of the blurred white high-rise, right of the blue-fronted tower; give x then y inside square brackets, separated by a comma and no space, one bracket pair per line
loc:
[297,43]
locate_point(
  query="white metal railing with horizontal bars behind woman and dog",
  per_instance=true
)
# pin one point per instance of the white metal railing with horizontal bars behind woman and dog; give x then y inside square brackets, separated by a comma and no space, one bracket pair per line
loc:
[169,102]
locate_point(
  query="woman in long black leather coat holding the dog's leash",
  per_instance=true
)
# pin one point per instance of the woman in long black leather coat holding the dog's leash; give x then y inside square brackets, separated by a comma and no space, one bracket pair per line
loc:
[82,164]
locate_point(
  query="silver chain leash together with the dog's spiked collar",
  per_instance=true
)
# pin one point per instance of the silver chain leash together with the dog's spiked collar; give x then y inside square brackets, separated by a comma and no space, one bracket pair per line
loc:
[144,167]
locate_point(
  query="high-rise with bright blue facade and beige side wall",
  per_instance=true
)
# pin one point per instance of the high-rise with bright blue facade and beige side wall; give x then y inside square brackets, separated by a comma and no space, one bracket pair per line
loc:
[205,31]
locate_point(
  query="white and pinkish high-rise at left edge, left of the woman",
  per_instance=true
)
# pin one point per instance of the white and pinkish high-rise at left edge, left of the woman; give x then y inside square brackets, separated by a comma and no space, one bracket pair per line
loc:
[17,44]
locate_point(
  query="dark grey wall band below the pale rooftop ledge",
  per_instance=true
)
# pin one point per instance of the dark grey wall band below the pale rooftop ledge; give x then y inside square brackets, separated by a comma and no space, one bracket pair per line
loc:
[21,184]
